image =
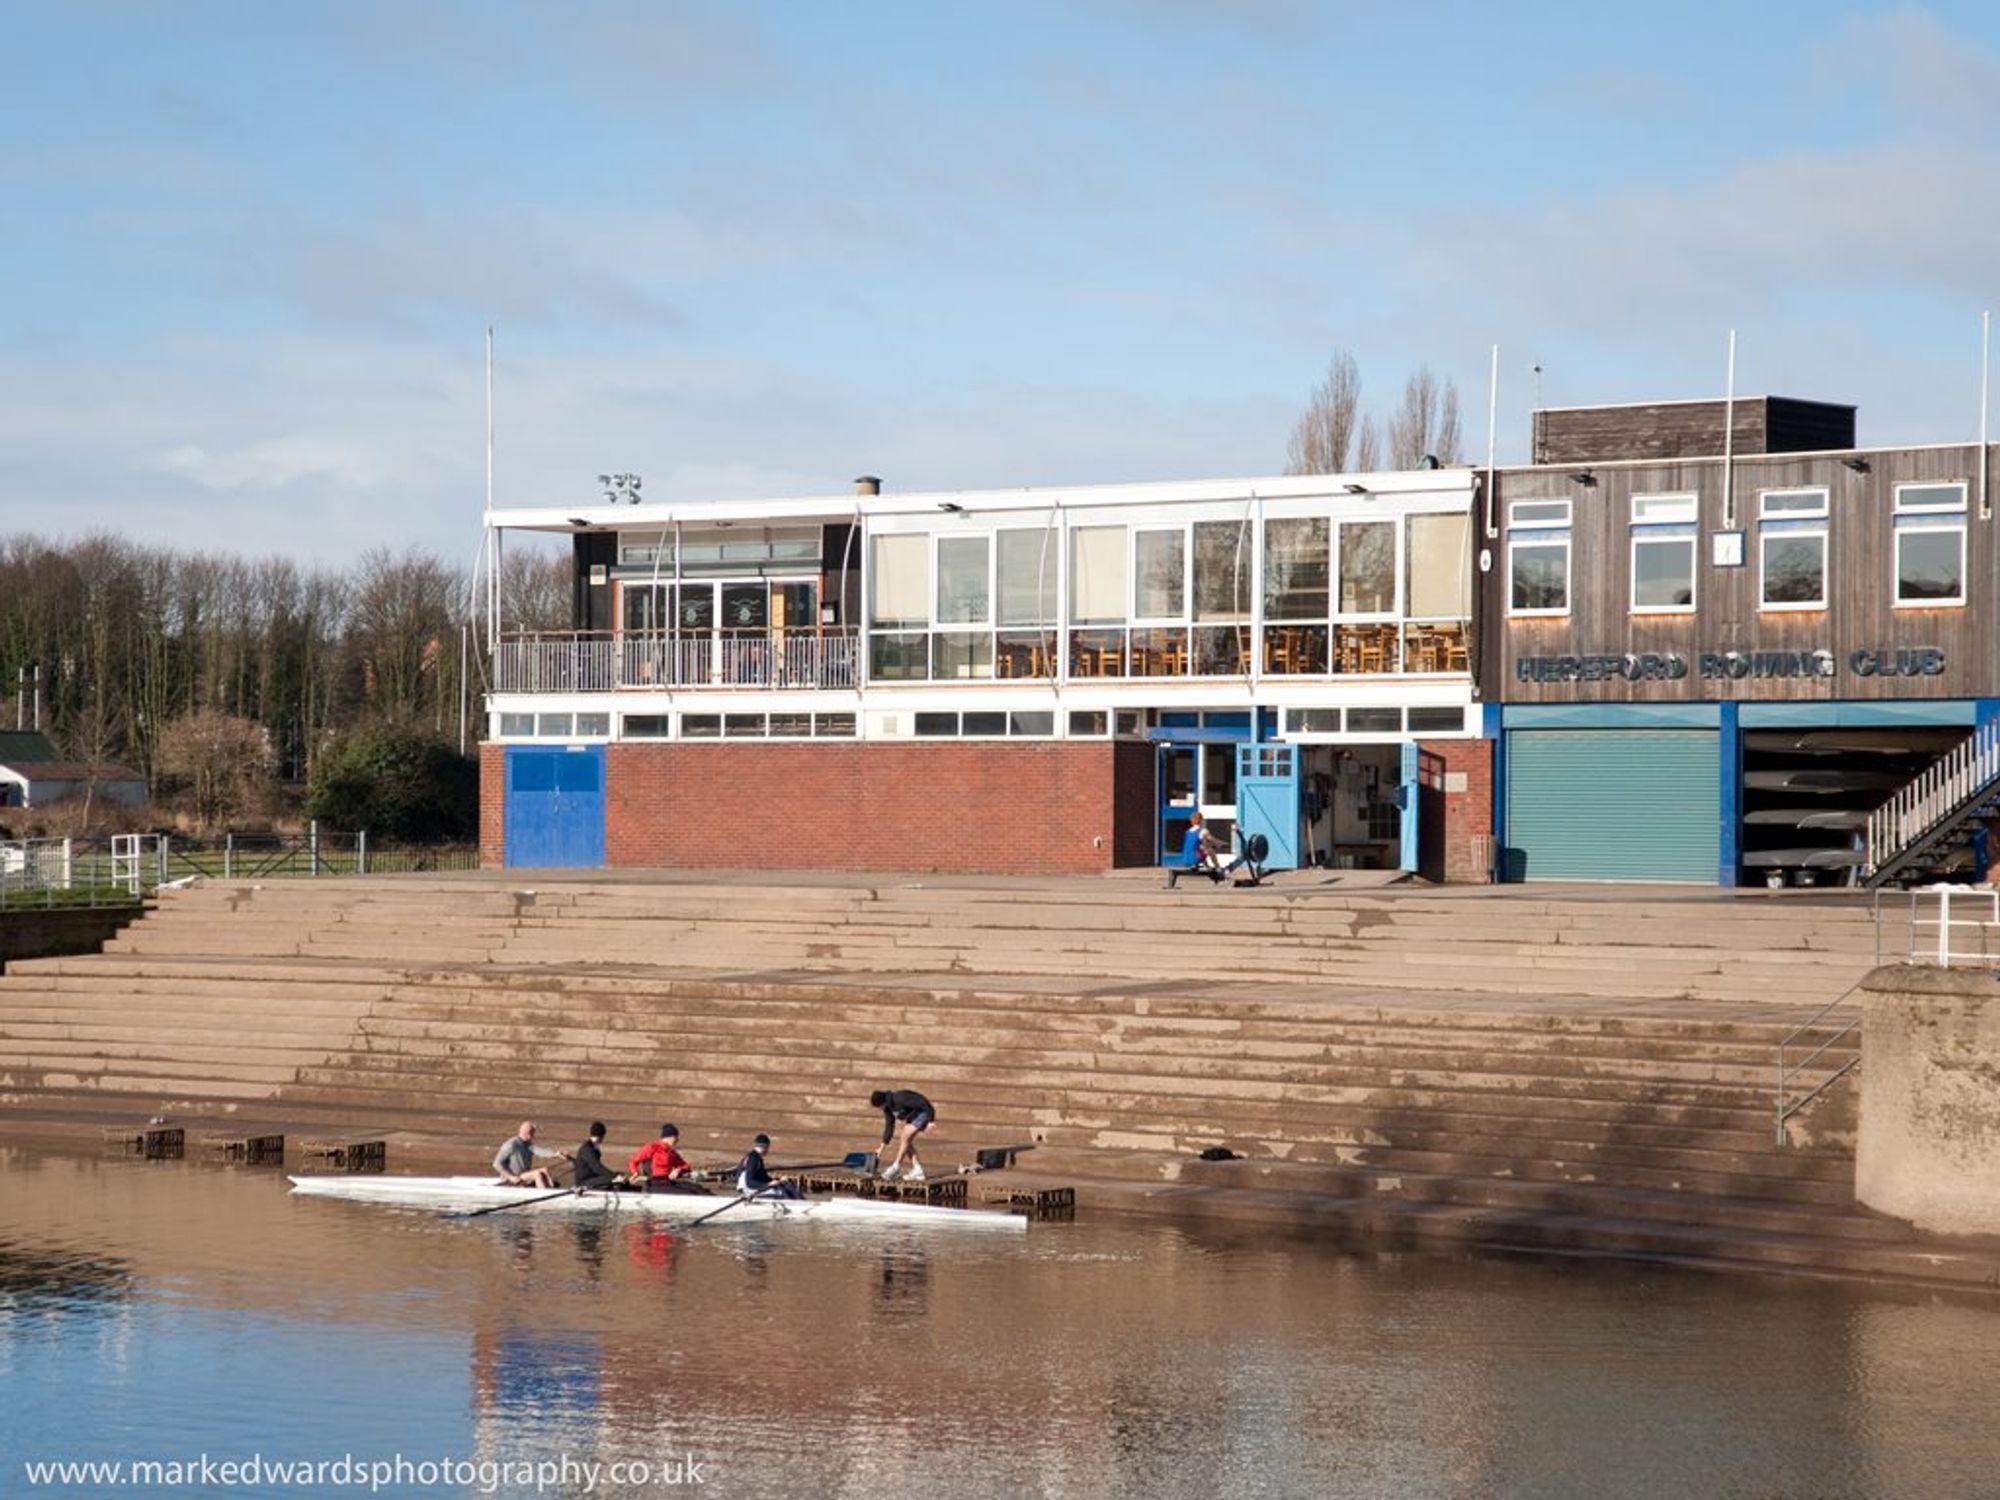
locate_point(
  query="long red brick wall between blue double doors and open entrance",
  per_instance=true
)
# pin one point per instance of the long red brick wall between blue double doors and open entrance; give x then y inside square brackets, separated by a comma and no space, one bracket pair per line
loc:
[1055,807]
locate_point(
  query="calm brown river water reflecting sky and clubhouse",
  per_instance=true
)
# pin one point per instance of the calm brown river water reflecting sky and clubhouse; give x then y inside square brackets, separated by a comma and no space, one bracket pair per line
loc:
[175,1313]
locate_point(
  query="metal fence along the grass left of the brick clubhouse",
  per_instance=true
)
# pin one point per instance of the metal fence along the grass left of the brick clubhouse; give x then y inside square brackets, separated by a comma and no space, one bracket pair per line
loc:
[123,869]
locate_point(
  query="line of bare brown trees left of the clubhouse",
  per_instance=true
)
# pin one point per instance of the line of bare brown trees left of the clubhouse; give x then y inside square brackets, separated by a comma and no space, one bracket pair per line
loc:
[135,641]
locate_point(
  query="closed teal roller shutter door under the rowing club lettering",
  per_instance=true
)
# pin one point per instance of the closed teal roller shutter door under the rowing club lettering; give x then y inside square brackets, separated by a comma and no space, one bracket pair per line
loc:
[1615,805]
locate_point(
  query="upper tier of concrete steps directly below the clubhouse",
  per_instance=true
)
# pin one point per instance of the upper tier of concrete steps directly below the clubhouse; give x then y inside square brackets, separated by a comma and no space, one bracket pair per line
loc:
[1735,951]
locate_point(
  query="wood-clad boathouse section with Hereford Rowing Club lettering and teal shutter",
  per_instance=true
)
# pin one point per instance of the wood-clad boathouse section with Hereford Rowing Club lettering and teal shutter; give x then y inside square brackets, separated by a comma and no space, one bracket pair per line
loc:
[1735,657]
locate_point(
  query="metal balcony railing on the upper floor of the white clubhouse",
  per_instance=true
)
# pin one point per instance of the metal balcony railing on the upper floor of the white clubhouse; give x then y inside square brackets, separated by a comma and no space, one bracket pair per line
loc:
[697,659]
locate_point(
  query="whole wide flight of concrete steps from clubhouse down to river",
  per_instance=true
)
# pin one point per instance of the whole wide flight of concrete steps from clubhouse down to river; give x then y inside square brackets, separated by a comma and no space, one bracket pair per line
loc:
[1503,1073]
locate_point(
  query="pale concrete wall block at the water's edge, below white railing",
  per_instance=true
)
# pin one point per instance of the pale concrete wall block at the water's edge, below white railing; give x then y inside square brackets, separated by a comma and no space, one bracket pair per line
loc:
[1929,1141]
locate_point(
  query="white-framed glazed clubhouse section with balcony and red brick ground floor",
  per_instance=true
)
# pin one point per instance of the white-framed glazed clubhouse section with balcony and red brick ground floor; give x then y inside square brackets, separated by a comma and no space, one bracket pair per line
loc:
[1011,681]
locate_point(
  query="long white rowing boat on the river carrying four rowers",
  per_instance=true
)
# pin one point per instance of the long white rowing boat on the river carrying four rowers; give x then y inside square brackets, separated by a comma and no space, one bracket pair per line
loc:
[469,1195]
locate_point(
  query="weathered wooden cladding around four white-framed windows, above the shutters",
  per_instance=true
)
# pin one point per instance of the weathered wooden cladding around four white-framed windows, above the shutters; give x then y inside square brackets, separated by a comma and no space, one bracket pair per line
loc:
[1861,611]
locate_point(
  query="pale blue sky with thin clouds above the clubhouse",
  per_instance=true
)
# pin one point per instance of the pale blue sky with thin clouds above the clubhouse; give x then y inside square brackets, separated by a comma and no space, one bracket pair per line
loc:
[249,253]
